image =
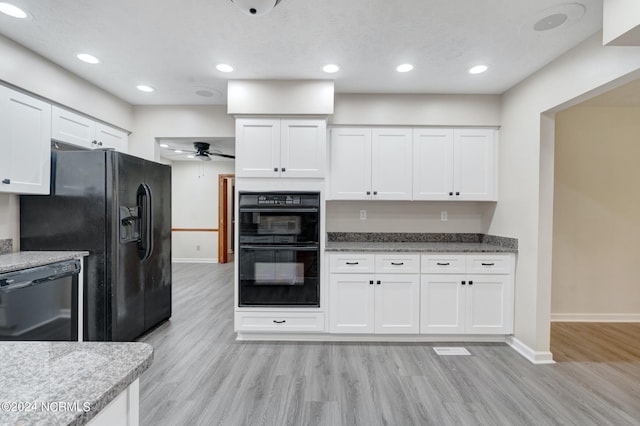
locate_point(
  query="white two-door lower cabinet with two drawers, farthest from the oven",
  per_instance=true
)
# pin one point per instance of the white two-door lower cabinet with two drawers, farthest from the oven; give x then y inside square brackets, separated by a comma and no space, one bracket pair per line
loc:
[467,303]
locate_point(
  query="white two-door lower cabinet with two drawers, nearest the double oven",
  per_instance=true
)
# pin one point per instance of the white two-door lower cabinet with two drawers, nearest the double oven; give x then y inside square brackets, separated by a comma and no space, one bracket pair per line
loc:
[375,298]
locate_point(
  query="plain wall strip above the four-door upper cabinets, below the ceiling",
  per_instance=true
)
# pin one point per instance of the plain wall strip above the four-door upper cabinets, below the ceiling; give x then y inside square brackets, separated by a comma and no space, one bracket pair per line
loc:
[416,110]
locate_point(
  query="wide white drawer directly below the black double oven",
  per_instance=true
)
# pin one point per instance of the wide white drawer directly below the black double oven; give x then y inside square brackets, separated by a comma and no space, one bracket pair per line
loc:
[274,321]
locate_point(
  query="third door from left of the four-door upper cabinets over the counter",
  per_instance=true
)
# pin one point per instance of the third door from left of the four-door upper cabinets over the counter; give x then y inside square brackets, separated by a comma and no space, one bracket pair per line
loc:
[432,164]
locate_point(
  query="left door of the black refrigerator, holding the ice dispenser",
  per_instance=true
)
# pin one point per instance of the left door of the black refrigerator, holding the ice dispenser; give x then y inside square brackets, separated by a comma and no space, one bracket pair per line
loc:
[127,280]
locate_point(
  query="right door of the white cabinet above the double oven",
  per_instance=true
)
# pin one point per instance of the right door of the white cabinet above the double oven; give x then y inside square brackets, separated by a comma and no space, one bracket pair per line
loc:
[303,148]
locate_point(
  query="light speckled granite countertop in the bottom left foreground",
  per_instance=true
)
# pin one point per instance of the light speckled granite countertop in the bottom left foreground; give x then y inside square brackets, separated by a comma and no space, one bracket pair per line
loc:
[65,383]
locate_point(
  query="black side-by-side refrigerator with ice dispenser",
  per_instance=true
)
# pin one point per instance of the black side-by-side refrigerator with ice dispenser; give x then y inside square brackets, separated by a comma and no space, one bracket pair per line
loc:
[117,207]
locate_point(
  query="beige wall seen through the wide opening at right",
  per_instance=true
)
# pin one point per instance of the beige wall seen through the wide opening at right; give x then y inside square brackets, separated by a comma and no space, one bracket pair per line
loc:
[596,255]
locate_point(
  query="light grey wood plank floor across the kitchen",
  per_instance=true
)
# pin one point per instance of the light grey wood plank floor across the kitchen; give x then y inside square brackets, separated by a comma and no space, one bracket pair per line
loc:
[202,376]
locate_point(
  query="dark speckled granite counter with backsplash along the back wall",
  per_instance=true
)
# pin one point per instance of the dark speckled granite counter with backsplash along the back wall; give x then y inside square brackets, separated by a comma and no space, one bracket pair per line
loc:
[419,243]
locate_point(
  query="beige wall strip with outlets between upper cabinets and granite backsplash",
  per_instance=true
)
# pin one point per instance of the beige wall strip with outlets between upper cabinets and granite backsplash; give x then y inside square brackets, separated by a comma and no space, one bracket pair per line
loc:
[409,216]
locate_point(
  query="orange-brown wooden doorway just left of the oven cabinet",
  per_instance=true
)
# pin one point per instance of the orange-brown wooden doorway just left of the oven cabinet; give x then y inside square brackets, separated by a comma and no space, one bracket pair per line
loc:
[226,217]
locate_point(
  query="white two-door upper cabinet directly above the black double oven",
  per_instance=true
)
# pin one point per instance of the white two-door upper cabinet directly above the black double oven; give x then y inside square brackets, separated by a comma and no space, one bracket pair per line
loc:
[276,147]
